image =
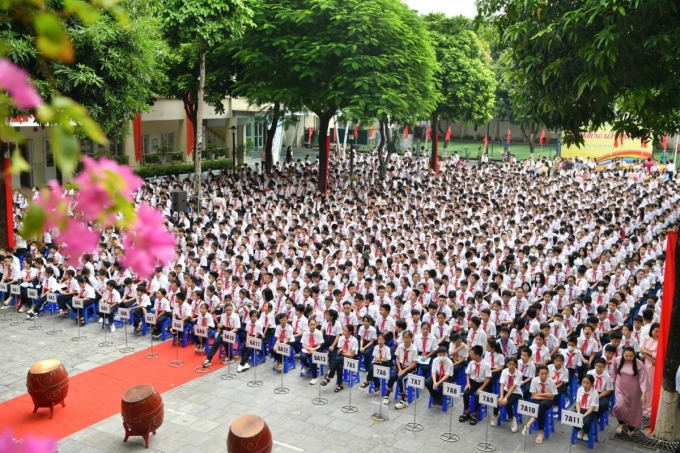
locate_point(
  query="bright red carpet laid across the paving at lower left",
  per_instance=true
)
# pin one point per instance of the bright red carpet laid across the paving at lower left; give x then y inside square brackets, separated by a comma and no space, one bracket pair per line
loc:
[96,394]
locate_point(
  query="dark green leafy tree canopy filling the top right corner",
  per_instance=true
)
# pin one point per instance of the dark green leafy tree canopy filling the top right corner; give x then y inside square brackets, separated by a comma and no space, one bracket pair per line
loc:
[586,64]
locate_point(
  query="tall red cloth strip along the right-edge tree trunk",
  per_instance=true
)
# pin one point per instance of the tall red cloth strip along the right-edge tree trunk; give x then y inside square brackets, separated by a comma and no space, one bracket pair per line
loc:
[665,324]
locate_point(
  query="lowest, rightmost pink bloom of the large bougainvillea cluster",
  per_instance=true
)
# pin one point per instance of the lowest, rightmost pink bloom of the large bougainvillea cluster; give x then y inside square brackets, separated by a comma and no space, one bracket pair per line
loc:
[148,242]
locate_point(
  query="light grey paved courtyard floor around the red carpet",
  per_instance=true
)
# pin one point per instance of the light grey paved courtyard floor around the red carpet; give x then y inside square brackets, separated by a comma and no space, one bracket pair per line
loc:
[199,413]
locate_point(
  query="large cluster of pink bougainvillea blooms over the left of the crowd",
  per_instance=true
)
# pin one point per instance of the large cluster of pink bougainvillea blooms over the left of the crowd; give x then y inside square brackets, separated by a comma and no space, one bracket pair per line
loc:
[104,197]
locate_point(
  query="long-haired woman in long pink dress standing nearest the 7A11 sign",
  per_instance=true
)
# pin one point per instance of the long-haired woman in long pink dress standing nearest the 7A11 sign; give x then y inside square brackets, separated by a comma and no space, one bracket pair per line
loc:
[632,386]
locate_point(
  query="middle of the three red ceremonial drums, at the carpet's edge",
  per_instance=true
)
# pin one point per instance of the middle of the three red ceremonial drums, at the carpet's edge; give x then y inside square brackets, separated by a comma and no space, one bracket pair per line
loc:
[142,411]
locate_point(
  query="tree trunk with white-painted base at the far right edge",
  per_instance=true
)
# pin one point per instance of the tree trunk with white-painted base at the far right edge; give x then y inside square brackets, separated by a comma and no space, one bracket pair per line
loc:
[667,419]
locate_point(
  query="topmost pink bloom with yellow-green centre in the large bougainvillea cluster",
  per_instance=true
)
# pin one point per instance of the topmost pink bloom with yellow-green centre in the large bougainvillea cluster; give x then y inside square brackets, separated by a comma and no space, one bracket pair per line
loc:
[105,187]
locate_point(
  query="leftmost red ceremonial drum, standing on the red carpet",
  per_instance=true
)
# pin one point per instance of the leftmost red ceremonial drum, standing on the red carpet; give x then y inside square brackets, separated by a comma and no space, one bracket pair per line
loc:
[47,383]
